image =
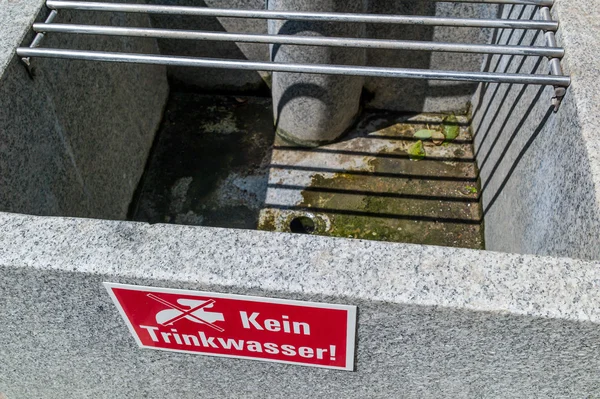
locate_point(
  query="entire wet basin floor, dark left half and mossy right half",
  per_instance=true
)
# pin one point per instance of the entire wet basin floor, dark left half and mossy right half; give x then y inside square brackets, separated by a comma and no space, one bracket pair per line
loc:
[217,163]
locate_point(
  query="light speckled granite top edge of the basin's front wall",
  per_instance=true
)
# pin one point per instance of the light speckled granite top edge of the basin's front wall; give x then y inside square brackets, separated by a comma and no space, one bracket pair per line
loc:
[296,266]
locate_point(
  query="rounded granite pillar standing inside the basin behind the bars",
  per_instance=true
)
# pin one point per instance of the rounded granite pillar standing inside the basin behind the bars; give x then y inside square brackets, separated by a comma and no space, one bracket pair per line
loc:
[316,109]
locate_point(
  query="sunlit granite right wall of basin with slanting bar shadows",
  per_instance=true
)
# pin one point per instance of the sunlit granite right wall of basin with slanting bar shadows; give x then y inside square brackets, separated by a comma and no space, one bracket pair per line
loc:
[540,170]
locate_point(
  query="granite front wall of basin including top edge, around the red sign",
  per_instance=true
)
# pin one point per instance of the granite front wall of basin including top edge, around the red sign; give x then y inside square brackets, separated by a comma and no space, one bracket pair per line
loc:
[433,322]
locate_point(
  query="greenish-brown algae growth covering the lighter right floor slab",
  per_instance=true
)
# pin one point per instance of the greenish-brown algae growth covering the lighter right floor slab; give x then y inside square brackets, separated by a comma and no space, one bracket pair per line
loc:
[379,206]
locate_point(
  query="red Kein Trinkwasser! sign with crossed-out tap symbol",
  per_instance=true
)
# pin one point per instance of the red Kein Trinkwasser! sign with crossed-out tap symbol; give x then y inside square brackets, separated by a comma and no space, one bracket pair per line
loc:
[267,329]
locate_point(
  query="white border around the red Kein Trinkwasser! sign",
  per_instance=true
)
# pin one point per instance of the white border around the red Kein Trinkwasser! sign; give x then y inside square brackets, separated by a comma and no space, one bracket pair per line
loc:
[350,331]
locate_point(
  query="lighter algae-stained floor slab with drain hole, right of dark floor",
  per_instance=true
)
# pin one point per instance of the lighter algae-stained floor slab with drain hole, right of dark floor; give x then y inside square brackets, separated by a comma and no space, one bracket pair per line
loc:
[368,187]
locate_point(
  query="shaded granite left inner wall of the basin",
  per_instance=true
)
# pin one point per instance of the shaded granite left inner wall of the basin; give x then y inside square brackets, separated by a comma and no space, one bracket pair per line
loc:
[74,138]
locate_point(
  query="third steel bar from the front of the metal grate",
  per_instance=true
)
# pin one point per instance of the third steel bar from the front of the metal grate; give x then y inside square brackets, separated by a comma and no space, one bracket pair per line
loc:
[302,16]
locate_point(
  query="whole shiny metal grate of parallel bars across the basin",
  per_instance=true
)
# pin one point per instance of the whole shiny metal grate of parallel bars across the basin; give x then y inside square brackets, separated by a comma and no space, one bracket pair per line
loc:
[545,23]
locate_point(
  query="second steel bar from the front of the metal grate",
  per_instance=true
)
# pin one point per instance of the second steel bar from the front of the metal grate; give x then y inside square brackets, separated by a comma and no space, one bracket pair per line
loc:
[299,40]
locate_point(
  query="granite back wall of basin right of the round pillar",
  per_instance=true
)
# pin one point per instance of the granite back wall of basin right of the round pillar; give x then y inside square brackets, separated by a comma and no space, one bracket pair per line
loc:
[425,95]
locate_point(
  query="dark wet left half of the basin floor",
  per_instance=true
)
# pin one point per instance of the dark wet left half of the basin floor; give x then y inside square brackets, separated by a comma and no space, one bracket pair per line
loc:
[209,165]
